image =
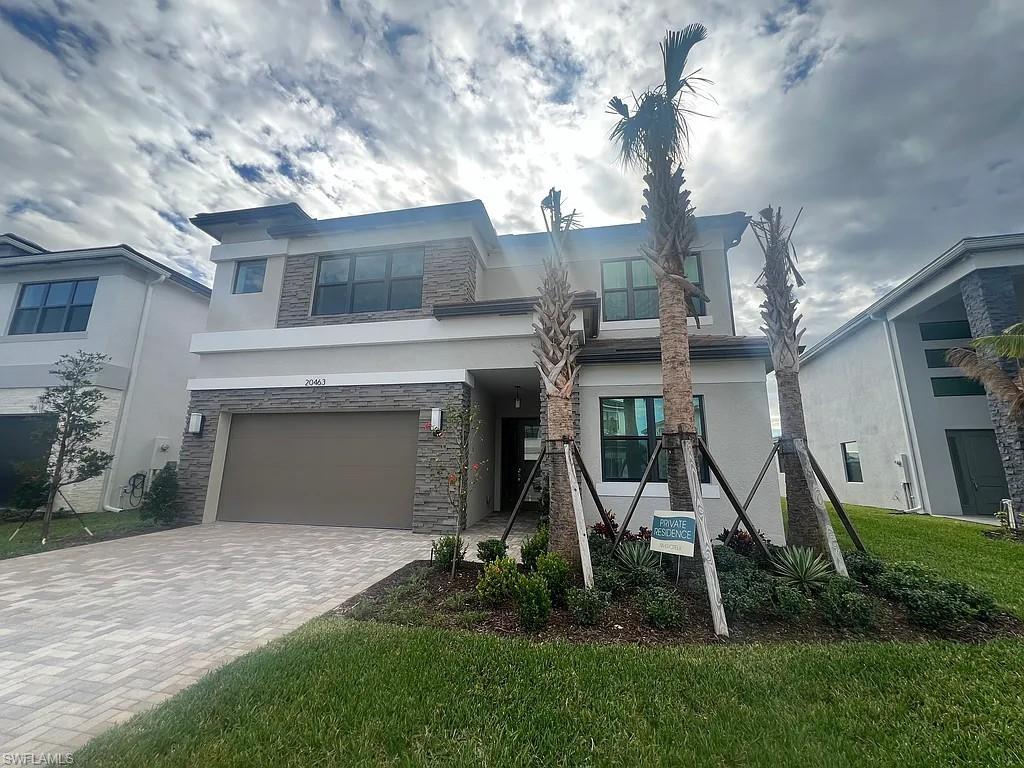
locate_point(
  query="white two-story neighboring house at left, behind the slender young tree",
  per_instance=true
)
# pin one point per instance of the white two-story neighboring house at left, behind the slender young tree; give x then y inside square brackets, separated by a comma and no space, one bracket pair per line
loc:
[113,301]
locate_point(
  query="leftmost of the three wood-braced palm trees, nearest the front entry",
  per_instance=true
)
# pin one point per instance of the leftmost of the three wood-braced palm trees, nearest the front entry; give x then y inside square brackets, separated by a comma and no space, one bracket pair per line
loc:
[557,350]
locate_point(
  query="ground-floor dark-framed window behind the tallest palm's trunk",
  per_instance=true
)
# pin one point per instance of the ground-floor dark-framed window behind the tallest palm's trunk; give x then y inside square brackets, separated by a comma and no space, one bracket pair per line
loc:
[631,429]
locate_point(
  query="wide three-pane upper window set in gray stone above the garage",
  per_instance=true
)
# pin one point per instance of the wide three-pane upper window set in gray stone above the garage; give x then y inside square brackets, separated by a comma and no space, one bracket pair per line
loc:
[369,283]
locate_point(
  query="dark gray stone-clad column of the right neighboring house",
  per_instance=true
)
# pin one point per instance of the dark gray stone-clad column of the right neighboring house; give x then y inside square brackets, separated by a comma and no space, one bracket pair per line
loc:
[991,302]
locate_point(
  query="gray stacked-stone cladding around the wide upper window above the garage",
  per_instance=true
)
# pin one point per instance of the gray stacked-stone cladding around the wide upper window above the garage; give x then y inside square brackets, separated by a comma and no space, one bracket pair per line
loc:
[449,277]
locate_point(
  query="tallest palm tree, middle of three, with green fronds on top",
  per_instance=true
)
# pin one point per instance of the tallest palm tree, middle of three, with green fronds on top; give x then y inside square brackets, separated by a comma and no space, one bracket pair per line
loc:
[654,138]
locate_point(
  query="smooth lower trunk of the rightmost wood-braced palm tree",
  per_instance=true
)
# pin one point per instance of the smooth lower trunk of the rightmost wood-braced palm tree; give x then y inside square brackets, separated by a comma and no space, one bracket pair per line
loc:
[803,529]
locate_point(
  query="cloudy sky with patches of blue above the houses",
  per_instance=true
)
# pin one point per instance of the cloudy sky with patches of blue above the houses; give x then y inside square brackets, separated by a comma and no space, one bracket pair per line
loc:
[897,124]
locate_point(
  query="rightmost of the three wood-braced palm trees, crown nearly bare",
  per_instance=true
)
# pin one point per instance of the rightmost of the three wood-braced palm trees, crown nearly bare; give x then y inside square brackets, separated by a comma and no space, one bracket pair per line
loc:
[782,326]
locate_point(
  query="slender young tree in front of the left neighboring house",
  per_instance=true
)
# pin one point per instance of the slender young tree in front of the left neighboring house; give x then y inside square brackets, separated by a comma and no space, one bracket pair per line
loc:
[75,403]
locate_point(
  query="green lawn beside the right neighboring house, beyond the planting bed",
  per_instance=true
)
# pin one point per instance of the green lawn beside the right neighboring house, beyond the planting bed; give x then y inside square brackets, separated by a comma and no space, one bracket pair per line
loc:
[957,550]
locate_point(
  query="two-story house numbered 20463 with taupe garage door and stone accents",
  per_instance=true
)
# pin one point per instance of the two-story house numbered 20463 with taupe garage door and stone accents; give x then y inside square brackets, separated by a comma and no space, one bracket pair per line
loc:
[329,344]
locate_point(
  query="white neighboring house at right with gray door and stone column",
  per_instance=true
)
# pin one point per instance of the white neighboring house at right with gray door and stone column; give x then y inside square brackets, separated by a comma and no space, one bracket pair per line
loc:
[890,422]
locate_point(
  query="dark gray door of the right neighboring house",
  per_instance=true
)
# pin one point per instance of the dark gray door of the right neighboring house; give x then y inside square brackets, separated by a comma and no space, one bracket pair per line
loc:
[980,480]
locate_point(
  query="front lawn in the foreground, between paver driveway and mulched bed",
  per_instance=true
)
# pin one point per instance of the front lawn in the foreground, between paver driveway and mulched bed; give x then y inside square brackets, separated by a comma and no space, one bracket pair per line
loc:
[339,693]
